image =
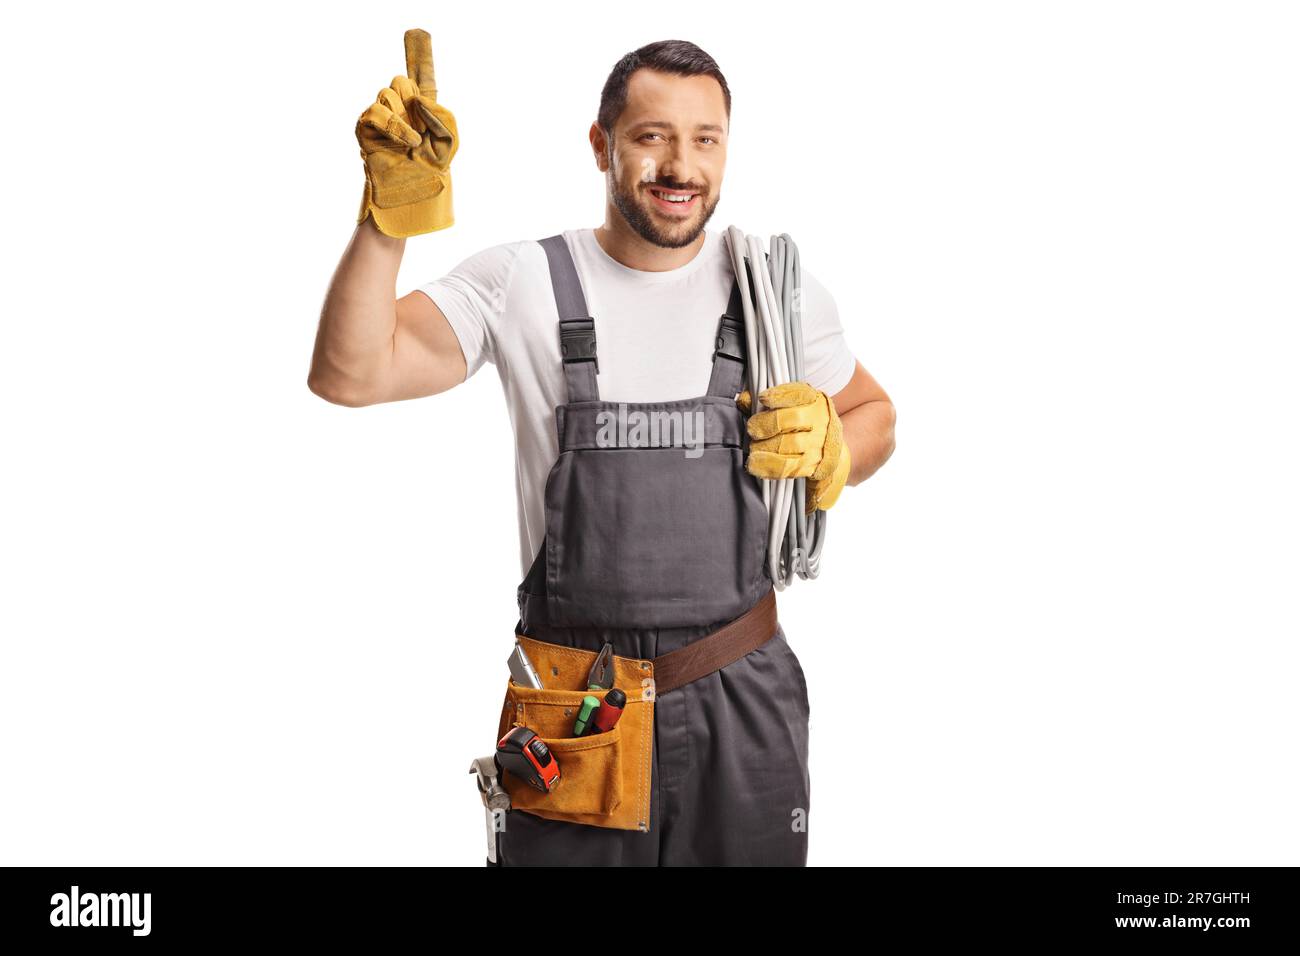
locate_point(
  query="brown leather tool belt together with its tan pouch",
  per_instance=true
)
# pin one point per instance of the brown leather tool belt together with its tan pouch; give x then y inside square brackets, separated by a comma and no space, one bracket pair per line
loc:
[605,778]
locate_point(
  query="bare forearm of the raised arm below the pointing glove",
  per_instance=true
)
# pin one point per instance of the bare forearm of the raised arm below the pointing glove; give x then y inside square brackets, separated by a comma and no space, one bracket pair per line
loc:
[354,343]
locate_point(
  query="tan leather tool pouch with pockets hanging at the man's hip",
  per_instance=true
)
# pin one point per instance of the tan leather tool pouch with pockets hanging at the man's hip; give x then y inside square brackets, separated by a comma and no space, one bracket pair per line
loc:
[605,778]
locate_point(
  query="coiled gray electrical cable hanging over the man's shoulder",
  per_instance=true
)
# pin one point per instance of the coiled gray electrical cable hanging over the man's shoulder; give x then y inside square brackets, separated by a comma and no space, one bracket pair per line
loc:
[774,338]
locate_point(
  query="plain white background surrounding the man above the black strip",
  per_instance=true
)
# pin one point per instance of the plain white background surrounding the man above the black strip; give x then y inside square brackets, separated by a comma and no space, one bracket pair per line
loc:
[244,626]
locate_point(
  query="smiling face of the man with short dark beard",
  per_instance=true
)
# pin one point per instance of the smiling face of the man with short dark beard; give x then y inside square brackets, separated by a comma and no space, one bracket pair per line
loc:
[669,154]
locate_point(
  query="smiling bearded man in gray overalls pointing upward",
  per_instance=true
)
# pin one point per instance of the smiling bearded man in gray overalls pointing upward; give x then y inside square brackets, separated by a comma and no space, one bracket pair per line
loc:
[652,551]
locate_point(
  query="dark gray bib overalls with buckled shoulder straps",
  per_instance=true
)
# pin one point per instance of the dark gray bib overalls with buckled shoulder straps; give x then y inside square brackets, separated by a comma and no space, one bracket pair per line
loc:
[649,550]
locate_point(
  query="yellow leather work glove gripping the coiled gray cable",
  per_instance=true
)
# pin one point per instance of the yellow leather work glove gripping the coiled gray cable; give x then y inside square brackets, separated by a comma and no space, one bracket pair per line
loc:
[798,434]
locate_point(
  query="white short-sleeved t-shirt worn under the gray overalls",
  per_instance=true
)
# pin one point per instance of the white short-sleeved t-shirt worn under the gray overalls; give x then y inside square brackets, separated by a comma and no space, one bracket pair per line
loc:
[655,335]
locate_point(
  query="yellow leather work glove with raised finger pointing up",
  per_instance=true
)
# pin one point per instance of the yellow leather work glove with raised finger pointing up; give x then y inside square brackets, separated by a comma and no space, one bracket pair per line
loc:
[408,144]
